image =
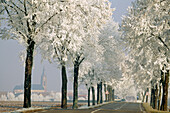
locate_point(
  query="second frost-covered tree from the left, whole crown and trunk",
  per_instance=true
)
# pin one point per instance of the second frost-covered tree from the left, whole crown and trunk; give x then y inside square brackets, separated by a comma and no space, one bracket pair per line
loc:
[64,32]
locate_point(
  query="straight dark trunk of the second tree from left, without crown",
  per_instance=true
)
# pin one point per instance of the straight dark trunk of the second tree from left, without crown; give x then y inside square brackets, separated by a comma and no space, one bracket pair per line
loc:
[64,88]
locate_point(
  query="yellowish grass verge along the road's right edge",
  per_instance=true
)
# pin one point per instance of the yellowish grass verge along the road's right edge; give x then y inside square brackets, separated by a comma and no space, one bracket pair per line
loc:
[149,109]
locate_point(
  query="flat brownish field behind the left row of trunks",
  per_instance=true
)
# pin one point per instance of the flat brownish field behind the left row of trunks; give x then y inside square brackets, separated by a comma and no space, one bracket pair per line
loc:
[7,106]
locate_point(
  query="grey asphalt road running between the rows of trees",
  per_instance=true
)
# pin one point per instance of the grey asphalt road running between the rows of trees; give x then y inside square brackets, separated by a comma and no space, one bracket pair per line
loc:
[115,107]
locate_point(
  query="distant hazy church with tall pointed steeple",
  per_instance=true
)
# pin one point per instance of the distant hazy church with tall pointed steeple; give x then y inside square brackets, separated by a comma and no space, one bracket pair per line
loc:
[35,88]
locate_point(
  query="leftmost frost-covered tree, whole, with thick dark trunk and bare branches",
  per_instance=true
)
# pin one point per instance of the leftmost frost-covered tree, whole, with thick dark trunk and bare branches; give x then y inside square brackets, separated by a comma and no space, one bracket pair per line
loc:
[22,20]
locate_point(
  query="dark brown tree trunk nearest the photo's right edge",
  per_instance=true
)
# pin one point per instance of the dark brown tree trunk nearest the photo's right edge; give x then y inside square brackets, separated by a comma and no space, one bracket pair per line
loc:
[165,92]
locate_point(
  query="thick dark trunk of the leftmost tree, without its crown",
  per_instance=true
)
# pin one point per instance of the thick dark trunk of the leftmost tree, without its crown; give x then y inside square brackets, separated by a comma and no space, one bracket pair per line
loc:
[28,72]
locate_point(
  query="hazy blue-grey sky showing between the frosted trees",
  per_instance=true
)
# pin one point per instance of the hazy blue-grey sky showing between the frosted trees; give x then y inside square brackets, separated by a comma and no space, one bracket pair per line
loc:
[12,68]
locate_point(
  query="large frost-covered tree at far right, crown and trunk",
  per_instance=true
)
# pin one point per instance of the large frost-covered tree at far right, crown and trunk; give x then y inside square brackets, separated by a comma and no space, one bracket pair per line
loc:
[146,31]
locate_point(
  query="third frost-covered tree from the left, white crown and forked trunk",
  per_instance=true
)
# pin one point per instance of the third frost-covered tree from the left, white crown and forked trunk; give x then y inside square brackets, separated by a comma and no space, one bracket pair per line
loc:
[102,12]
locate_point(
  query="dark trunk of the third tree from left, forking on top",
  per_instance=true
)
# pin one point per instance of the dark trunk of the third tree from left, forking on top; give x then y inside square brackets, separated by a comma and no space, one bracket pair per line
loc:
[75,86]
